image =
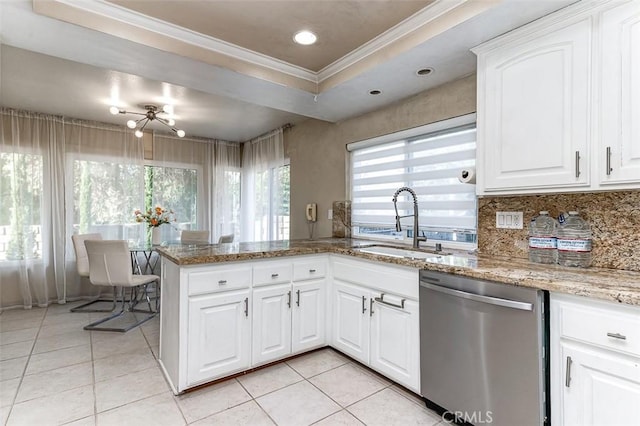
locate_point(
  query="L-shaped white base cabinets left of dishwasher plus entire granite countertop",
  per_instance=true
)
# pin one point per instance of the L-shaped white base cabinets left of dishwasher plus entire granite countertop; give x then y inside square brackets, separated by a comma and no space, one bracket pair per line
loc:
[266,301]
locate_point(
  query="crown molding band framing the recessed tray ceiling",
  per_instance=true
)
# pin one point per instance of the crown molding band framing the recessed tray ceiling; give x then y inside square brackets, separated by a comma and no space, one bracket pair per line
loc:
[112,19]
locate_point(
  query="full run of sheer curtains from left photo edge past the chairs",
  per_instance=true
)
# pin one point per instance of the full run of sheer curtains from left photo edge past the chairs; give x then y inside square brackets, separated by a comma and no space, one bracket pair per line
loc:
[59,177]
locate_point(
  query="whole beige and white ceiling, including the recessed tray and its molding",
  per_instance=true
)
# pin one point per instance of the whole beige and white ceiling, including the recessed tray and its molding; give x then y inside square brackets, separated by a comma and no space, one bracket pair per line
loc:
[230,68]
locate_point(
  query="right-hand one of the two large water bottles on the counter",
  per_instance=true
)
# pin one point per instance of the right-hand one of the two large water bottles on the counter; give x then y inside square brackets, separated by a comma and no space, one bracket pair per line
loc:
[574,242]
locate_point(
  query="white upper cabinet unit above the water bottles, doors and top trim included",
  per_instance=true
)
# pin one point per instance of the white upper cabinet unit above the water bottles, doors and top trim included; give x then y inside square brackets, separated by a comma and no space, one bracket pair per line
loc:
[557,100]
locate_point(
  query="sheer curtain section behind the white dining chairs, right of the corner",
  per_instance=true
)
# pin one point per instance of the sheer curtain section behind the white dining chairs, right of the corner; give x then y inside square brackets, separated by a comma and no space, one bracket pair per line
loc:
[104,184]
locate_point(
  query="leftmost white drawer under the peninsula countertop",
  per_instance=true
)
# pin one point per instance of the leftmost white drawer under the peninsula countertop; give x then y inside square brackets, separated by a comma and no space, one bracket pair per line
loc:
[218,280]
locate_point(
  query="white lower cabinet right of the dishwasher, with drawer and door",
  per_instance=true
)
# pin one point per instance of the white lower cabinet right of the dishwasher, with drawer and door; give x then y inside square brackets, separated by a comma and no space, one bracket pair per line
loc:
[595,362]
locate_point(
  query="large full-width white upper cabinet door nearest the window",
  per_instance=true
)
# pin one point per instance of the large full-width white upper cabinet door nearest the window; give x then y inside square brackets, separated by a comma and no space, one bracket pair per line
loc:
[534,98]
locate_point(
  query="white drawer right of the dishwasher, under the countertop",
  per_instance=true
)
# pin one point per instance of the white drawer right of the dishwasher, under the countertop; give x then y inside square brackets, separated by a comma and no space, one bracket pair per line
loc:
[602,327]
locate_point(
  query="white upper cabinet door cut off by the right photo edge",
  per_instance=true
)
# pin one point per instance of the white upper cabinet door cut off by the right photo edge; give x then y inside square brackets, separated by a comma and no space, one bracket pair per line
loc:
[620,80]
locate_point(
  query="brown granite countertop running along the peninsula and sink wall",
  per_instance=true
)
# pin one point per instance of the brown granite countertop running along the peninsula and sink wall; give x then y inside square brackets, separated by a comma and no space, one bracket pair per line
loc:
[607,284]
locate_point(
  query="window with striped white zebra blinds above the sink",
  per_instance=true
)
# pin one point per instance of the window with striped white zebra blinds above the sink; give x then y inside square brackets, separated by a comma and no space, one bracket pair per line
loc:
[427,159]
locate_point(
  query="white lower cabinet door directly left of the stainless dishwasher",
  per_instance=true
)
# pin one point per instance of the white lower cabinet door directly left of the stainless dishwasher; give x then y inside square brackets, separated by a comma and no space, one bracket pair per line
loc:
[395,335]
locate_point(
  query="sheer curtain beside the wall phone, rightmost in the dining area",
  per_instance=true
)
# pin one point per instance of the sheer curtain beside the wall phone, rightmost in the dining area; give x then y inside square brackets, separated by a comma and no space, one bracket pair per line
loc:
[262,197]
